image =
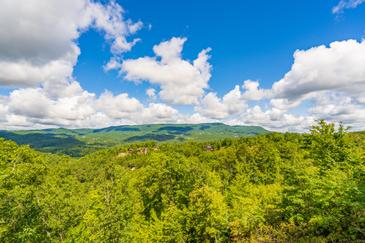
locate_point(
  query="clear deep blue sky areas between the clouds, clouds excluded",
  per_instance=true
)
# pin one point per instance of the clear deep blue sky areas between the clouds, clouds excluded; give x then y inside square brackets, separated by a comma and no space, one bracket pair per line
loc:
[249,39]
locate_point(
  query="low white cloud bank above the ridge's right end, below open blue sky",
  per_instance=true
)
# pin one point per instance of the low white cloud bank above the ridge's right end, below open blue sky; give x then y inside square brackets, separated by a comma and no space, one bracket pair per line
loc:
[234,109]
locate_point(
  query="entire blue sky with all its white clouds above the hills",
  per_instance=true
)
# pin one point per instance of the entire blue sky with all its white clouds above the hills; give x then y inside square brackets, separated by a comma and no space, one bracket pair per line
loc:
[278,64]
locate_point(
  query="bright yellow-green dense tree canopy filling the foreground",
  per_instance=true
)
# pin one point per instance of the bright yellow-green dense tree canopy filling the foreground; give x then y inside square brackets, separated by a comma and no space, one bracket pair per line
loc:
[273,187]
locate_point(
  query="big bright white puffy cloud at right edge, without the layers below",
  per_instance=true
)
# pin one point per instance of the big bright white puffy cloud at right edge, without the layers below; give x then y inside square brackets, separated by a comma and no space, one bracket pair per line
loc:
[337,67]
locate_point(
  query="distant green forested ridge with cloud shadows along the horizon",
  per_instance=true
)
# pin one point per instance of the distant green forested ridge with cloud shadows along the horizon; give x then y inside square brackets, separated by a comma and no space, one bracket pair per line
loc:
[77,142]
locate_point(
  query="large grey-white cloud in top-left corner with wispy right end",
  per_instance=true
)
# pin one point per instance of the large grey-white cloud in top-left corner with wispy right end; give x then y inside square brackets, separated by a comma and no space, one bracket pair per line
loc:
[39,44]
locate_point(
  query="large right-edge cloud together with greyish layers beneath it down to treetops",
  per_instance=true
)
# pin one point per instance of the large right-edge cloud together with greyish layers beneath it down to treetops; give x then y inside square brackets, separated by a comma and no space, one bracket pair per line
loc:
[332,78]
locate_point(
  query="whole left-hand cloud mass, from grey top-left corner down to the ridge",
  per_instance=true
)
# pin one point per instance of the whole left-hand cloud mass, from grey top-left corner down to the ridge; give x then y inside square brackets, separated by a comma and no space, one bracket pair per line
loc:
[38,51]
